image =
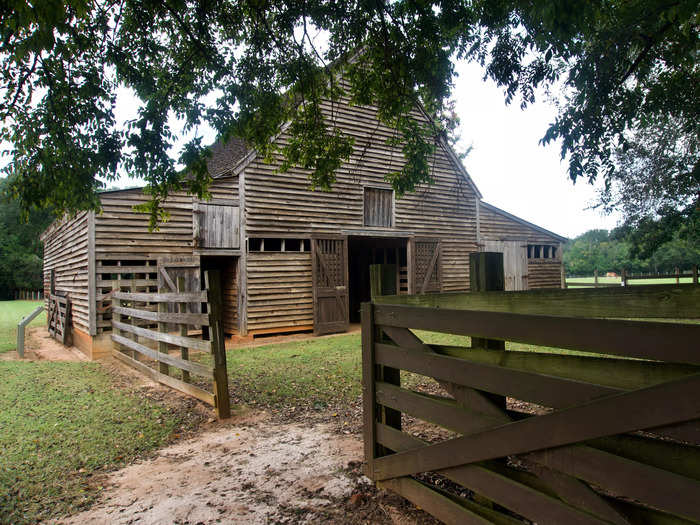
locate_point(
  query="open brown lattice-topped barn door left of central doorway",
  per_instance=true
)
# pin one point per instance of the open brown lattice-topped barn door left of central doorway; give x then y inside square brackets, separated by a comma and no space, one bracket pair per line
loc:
[329,257]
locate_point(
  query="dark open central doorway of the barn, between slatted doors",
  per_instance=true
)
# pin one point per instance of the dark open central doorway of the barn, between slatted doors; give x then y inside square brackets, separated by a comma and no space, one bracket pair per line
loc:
[366,251]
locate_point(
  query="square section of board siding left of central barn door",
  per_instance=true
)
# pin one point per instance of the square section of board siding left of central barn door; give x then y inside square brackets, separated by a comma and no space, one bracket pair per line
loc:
[279,290]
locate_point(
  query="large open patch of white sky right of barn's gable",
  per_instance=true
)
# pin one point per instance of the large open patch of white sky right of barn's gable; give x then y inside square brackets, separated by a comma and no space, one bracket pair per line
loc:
[510,168]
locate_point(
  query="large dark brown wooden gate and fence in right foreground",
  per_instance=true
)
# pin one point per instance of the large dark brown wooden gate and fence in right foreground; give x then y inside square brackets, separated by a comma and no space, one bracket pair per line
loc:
[607,432]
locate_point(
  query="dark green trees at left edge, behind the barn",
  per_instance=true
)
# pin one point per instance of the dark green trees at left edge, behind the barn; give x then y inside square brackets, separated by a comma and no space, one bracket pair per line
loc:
[20,248]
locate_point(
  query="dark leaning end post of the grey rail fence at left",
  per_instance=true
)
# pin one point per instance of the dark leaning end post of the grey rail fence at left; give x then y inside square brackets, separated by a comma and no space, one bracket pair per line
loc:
[216,336]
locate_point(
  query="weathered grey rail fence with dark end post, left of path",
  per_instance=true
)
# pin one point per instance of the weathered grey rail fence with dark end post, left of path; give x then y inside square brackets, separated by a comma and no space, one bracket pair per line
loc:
[142,330]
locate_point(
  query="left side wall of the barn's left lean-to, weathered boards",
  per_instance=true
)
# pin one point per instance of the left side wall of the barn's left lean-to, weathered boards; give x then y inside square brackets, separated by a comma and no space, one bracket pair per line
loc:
[66,252]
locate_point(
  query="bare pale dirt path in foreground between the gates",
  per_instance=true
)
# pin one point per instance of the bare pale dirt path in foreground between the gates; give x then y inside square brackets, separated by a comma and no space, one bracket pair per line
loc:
[250,471]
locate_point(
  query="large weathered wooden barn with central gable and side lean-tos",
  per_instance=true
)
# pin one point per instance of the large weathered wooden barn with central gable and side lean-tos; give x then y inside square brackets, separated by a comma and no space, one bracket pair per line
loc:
[294,259]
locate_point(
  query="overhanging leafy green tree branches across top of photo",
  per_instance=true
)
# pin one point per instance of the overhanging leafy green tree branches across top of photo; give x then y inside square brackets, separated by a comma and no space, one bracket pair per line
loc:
[617,66]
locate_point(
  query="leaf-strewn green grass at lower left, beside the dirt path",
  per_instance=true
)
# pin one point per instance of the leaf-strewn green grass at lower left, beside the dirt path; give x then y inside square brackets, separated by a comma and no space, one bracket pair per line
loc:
[60,423]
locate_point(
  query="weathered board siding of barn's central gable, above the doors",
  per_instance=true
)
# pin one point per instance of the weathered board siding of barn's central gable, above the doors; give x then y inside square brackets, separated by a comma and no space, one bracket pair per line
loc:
[279,204]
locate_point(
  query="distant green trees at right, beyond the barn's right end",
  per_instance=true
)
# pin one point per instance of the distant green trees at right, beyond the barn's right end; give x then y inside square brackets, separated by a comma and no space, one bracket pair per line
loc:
[609,251]
